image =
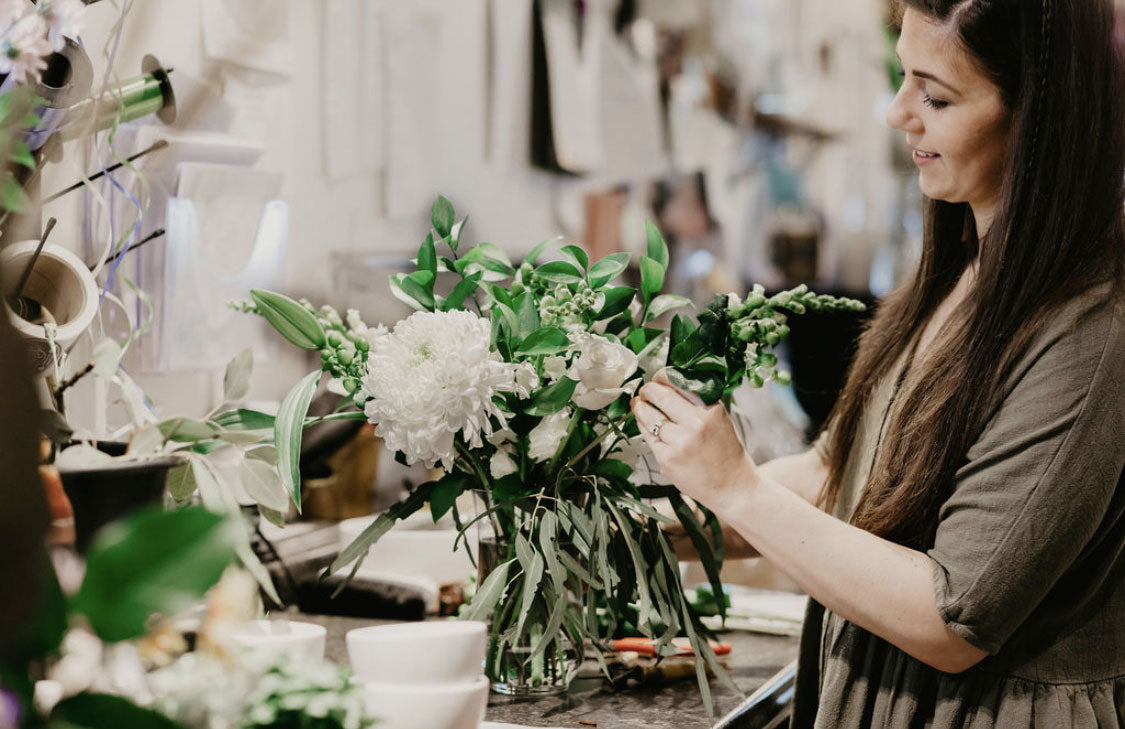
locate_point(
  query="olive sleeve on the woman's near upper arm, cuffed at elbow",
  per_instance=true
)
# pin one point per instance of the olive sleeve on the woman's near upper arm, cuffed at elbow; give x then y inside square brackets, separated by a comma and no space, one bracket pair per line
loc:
[1037,485]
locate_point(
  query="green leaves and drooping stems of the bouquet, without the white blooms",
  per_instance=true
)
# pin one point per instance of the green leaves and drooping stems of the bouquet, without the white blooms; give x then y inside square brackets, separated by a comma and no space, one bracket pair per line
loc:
[583,555]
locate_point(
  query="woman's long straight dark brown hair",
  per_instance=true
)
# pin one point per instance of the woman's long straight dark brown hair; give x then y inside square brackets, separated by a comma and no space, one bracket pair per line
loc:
[1059,230]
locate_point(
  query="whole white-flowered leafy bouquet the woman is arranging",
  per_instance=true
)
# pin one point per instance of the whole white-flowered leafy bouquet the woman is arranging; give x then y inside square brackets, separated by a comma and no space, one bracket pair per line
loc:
[518,384]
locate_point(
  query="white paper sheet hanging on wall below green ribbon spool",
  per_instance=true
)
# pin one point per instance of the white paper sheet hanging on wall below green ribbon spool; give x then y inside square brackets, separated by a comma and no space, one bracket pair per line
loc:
[227,235]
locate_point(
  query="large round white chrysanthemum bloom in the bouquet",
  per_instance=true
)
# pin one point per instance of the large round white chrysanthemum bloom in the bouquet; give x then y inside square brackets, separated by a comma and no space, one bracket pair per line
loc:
[433,379]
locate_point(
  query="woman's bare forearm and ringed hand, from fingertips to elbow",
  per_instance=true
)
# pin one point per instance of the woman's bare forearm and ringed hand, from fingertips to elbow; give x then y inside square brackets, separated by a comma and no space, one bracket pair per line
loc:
[874,583]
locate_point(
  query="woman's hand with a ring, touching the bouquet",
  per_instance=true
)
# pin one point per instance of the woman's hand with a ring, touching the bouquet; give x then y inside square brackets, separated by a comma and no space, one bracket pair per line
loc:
[696,446]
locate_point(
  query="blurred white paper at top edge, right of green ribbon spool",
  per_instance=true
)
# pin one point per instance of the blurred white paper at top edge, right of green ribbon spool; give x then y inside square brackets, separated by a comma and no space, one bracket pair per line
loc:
[254,34]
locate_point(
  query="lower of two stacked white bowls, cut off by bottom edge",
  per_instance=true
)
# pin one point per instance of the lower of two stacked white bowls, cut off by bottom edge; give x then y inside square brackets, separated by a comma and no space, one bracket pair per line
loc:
[457,706]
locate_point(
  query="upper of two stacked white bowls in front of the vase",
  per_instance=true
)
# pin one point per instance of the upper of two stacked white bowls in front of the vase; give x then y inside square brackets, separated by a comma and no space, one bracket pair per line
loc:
[419,653]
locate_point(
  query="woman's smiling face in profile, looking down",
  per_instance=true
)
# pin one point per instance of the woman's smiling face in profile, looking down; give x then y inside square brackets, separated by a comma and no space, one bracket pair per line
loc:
[953,115]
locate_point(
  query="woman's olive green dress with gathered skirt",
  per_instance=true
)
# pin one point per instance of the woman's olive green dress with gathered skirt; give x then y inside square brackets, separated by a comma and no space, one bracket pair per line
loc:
[1029,562]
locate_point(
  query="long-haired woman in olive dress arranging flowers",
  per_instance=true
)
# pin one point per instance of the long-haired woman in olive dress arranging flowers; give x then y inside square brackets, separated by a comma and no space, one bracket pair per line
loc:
[961,524]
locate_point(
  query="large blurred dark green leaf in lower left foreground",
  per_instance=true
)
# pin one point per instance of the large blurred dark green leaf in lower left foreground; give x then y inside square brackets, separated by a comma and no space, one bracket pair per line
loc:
[156,562]
